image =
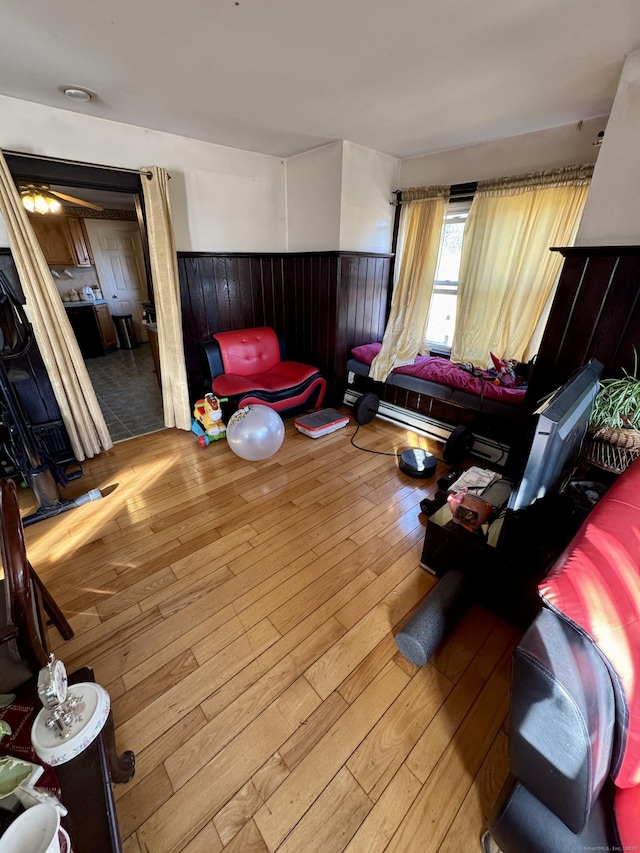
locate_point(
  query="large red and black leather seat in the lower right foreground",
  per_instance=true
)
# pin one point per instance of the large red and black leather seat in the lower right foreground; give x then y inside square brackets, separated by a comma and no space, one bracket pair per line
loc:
[574,744]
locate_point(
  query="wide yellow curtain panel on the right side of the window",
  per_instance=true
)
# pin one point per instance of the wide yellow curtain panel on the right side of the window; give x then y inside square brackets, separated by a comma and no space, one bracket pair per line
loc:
[507,273]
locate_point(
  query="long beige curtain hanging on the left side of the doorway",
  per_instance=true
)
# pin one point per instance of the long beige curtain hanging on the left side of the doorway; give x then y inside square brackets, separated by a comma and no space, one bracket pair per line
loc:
[56,341]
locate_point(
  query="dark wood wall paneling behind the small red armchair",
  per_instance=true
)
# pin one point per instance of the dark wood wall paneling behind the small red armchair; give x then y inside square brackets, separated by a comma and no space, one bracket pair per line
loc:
[321,303]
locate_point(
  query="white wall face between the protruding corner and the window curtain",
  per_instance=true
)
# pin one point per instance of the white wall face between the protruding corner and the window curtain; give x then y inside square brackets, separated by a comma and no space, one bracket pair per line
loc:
[366,217]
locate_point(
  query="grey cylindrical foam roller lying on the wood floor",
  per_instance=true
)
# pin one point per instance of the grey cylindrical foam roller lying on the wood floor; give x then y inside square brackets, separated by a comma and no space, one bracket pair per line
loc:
[439,612]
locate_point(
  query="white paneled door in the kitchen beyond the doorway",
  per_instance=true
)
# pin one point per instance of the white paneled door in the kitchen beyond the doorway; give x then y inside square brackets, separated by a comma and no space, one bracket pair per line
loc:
[117,251]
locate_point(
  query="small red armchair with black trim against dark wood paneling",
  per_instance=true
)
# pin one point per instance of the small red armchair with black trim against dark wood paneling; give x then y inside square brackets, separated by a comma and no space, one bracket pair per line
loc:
[250,366]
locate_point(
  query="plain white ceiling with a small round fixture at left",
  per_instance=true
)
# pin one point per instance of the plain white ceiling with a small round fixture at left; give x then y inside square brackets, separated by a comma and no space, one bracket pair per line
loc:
[405,77]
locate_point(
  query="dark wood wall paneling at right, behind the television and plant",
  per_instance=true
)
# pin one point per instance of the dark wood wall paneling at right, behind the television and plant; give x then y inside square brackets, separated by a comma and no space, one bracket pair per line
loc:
[595,314]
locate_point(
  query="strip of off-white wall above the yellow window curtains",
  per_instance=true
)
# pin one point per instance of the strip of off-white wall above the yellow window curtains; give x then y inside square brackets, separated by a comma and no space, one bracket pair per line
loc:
[530,152]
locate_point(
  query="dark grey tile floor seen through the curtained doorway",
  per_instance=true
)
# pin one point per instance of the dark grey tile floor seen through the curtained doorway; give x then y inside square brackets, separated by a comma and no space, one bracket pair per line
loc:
[128,392]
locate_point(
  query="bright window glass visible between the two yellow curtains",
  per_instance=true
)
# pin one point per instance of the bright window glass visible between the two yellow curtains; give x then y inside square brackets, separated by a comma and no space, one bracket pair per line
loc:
[441,319]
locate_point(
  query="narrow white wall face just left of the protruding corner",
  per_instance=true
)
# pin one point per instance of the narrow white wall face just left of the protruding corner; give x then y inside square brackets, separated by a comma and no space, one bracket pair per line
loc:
[314,188]
